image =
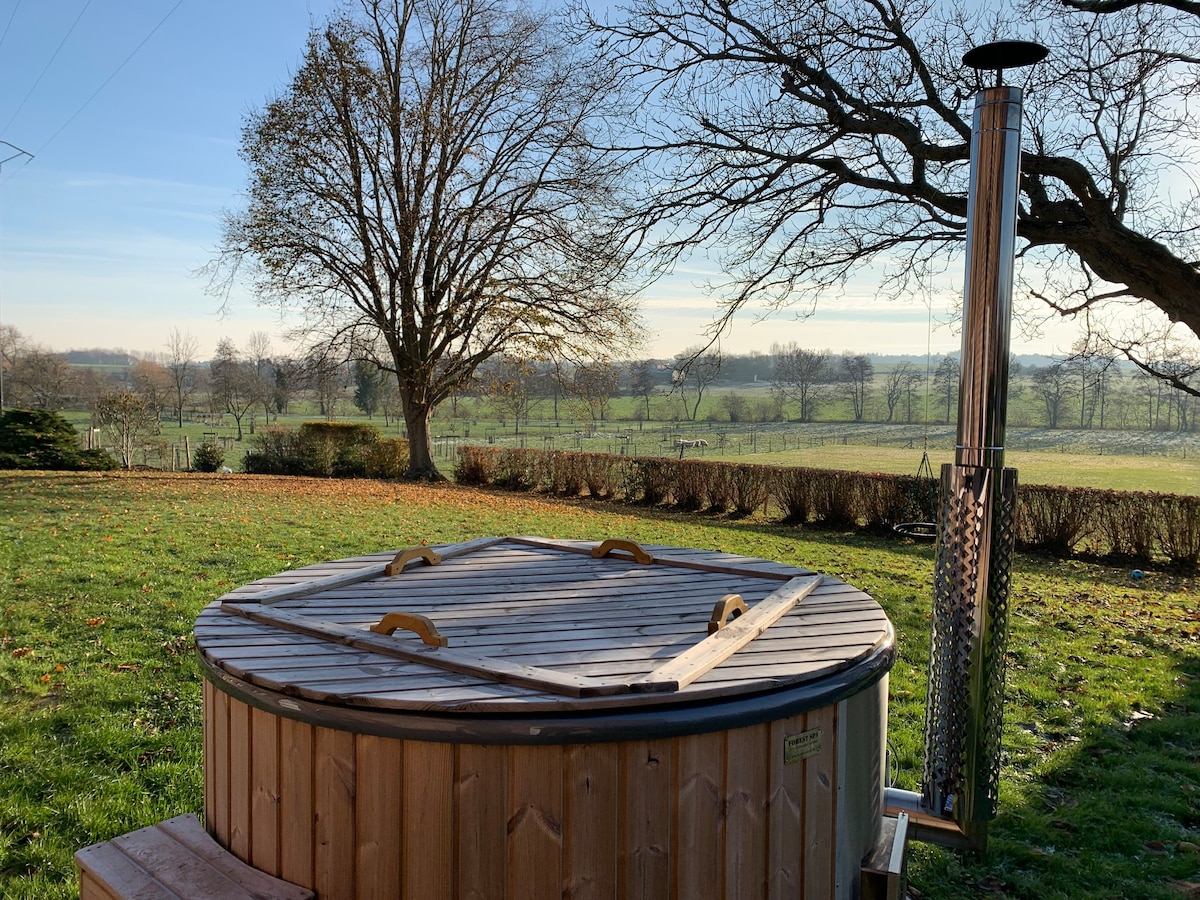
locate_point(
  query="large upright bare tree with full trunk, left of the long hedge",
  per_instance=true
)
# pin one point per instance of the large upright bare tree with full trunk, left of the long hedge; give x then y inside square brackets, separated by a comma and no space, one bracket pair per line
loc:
[427,189]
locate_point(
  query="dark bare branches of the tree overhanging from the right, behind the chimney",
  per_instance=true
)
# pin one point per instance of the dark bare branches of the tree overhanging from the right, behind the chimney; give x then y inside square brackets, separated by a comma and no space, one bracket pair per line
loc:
[817,142]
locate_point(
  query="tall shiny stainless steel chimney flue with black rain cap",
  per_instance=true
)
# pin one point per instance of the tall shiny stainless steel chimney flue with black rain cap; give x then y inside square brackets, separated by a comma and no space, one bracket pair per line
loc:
[964,710]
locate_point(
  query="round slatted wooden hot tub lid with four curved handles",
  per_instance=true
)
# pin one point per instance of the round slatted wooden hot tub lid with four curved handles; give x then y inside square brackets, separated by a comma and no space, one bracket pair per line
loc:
[529,625]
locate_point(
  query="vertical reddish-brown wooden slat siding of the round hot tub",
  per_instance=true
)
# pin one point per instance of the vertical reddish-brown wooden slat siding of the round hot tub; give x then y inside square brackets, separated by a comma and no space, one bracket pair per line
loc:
[706,817]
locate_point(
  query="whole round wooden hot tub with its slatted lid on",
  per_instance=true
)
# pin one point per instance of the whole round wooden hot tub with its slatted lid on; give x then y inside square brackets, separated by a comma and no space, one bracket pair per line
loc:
[581,735]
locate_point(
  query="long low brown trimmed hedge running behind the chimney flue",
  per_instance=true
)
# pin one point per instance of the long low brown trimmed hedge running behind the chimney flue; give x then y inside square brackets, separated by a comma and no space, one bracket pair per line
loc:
[1136,527]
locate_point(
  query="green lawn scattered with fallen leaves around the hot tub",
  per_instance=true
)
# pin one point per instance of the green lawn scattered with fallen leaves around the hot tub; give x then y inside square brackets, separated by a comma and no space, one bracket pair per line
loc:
[101,578]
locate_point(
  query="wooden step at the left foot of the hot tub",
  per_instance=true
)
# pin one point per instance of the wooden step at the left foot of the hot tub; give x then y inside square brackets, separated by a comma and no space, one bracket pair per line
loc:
[176,860]
